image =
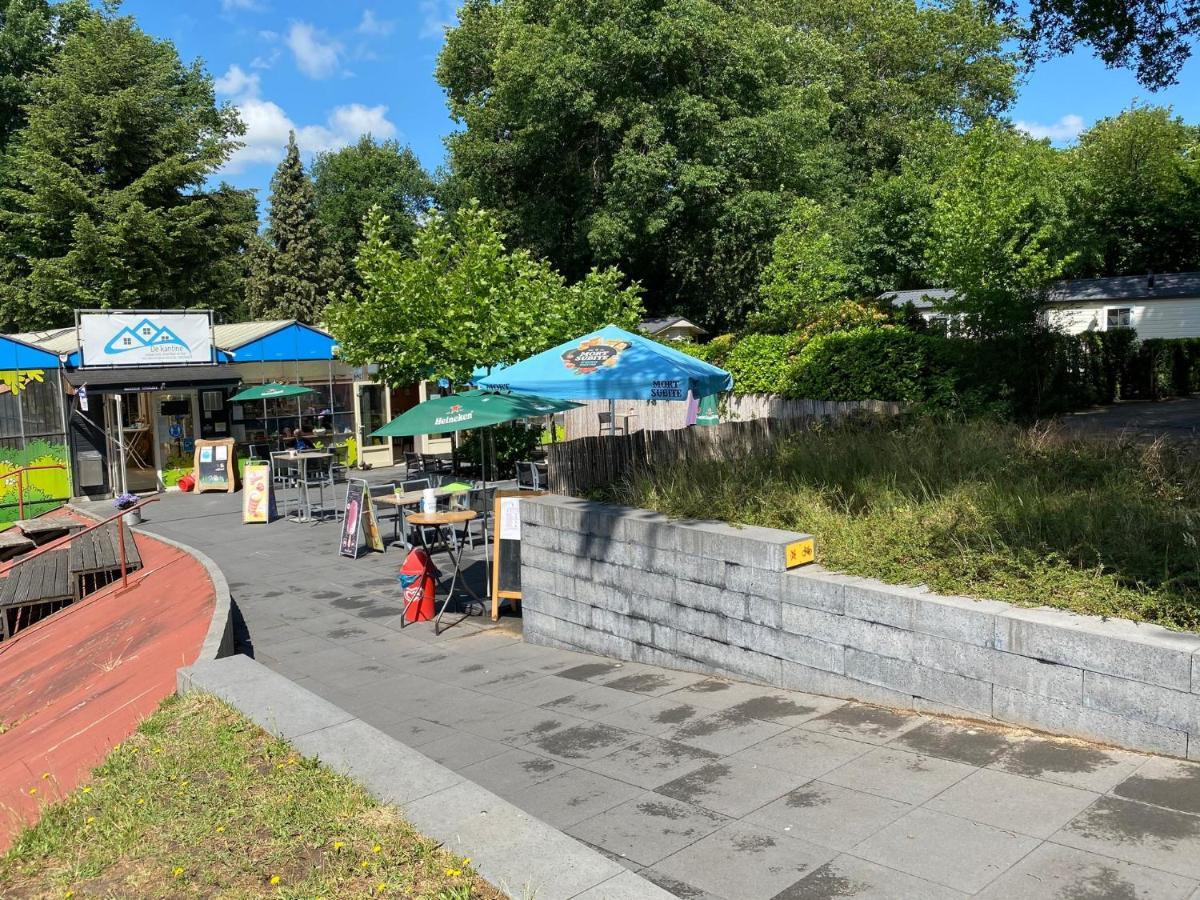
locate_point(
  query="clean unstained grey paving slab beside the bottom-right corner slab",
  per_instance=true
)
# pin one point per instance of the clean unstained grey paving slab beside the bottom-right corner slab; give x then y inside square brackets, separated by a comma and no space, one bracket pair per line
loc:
[916,844]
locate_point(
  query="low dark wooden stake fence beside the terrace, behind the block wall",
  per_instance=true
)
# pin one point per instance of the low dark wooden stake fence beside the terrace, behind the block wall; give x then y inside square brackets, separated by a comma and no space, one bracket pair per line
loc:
[581,465]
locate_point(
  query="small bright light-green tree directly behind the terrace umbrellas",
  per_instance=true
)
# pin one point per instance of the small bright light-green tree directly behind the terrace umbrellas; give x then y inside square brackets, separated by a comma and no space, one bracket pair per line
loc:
[463,301]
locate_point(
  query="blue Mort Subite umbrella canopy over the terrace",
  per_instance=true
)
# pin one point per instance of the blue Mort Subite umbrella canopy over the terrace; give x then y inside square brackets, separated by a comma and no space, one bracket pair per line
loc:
[611,364]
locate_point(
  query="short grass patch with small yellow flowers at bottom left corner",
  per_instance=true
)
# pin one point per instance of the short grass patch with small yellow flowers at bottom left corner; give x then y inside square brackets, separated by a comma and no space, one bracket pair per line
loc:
[202,803]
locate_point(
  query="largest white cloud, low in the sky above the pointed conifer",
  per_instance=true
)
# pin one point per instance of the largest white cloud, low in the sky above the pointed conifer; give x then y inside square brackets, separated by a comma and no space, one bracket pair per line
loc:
[268,127]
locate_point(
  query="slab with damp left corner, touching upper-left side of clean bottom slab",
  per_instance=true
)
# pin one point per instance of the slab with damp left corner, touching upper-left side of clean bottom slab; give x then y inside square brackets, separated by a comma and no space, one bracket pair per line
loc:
[830,815]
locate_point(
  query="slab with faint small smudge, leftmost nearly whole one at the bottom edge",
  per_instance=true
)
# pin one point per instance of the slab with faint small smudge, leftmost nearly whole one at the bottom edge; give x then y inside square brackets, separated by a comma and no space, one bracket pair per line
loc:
[746,862]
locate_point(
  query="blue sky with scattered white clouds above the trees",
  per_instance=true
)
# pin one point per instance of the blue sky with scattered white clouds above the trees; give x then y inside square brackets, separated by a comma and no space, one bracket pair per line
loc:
[335,70]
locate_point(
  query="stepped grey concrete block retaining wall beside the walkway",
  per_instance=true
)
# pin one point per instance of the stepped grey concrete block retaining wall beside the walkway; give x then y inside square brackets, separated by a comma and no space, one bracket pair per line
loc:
[706,597]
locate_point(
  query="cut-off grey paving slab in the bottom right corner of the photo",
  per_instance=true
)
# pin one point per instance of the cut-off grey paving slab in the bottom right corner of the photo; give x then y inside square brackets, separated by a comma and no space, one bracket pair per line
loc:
[1057,872]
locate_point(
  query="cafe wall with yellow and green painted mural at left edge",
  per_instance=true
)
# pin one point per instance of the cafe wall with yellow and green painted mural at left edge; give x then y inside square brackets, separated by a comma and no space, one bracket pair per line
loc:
[32,436]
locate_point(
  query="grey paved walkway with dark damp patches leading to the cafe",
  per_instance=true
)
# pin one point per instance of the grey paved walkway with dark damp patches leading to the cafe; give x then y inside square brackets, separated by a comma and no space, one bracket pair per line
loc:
[711,789]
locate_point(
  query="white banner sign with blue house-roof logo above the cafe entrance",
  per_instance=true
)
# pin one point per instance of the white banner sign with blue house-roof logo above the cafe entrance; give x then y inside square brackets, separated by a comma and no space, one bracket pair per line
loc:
[146,339]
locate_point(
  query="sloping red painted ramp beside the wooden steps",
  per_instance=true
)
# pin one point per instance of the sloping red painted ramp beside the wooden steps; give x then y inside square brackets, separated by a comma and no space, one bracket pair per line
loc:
[80,682]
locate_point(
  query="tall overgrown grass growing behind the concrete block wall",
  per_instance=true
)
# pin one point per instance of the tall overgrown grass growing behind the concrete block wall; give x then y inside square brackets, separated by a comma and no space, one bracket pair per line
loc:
[1100,526]
